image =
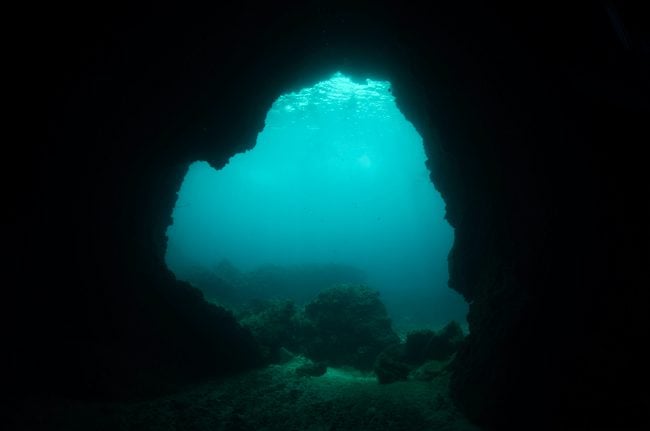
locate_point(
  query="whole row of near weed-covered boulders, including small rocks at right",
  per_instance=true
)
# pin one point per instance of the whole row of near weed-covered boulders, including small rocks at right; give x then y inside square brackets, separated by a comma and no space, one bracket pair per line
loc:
[347,325]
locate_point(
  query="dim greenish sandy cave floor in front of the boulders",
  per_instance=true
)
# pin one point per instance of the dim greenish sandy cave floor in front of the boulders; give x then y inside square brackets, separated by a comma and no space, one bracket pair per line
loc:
[272,398]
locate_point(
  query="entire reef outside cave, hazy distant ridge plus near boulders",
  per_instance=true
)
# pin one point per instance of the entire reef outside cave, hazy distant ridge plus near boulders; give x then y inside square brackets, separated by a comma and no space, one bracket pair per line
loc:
[314,312]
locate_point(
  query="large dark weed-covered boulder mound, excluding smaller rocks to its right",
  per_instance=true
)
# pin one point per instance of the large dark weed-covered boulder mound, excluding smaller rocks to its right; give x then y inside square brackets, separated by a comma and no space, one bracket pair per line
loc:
[345,325]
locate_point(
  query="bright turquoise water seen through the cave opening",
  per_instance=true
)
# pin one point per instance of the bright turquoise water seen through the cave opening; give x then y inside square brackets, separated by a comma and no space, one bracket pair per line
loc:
[337,176]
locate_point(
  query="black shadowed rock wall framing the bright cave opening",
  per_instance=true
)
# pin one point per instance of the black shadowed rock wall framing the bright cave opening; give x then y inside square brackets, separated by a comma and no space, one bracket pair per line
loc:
[533,119]
